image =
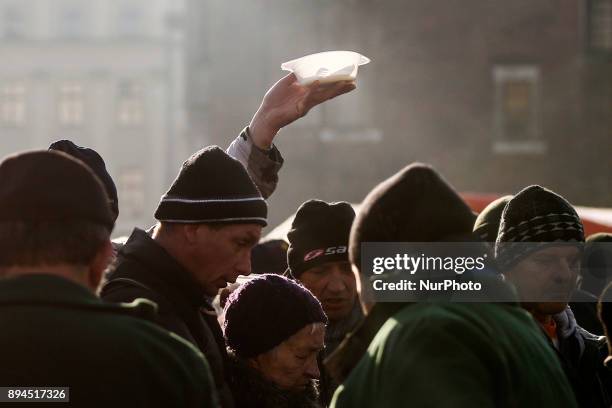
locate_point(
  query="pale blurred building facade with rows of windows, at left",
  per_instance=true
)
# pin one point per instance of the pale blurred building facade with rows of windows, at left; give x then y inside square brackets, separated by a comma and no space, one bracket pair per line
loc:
[105,74]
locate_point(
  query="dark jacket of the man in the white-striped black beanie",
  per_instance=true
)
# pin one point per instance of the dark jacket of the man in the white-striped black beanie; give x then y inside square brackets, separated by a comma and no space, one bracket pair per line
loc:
[144,269]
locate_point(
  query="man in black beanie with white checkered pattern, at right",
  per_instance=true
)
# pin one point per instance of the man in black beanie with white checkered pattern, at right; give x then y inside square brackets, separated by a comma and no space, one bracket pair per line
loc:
[539,250]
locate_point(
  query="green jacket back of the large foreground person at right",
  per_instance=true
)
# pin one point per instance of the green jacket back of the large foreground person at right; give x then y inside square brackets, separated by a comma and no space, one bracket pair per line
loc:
[457,355]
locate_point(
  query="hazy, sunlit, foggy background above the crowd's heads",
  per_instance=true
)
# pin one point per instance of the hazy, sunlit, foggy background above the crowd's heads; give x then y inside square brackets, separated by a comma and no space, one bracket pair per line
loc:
[495,94]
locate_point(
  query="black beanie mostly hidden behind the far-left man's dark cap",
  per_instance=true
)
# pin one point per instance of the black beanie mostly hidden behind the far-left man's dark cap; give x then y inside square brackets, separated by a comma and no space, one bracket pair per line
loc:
[95,162]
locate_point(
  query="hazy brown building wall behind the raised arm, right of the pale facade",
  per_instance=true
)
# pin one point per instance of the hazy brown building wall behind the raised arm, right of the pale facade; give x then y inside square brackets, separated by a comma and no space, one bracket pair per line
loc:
[495,94]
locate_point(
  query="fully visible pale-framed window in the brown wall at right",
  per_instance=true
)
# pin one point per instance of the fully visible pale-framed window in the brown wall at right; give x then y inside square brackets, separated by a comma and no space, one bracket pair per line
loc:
[517,109]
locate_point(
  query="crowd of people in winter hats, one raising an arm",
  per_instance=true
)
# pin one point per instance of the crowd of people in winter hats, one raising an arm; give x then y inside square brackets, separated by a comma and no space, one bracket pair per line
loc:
[160,320]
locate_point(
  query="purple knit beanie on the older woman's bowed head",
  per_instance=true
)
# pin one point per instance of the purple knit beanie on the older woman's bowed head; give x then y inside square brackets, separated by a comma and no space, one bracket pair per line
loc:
[265,311]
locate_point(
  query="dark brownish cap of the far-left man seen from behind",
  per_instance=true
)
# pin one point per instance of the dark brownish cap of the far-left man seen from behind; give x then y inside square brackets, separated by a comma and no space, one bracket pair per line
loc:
[50,186]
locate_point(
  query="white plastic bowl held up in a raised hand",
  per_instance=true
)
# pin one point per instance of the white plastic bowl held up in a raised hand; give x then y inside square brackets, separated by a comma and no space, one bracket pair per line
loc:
[330,66]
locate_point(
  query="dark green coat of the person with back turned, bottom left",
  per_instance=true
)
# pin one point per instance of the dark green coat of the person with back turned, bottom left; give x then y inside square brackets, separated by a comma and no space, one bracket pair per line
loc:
[54,332]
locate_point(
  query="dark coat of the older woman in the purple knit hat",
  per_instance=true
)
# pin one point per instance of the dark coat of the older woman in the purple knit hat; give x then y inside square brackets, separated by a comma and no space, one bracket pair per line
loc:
[252,390]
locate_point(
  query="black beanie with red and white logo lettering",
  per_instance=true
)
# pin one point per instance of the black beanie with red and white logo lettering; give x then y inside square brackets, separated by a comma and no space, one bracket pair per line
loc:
[319,234]
